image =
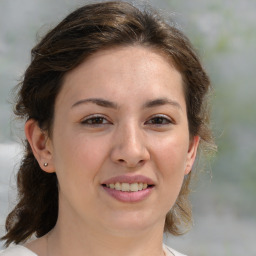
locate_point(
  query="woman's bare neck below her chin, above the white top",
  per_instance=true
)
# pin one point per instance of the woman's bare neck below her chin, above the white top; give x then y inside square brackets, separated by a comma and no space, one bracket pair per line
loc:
[76,240]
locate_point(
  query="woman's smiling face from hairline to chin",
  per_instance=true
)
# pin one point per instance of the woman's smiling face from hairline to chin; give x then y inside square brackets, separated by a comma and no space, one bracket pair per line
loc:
[120,145]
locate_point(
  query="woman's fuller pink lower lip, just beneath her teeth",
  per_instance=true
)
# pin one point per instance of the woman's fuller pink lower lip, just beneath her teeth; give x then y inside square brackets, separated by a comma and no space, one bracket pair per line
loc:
[129,197]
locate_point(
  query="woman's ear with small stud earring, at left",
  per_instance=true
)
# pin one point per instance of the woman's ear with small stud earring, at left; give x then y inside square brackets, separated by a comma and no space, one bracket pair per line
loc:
[41,145]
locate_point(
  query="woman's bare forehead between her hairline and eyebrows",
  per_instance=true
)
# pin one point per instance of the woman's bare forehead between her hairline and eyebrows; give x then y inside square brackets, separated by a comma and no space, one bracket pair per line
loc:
[119,71]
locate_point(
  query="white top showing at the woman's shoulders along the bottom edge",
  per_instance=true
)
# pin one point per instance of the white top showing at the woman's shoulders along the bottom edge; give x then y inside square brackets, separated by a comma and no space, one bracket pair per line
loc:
[19,250]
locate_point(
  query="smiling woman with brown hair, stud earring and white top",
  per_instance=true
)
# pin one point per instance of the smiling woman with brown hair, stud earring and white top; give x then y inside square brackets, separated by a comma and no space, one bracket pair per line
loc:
[115,107]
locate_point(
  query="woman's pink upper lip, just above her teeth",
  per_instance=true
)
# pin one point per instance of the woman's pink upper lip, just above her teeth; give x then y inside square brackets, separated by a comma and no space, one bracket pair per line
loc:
[129,179]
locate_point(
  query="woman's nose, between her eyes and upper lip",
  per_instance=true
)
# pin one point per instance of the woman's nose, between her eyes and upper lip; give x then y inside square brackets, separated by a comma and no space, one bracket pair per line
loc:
[129,147]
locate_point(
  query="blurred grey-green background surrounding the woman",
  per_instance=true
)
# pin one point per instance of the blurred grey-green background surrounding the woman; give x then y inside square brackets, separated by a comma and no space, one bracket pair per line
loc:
[224,34]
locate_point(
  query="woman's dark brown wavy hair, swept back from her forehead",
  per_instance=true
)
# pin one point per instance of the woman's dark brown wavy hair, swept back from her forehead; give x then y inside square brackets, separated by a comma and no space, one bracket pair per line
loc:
[87,30]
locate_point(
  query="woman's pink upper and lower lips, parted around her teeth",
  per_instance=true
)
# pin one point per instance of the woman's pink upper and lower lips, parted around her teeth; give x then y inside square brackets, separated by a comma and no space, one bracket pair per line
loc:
[129,197]
